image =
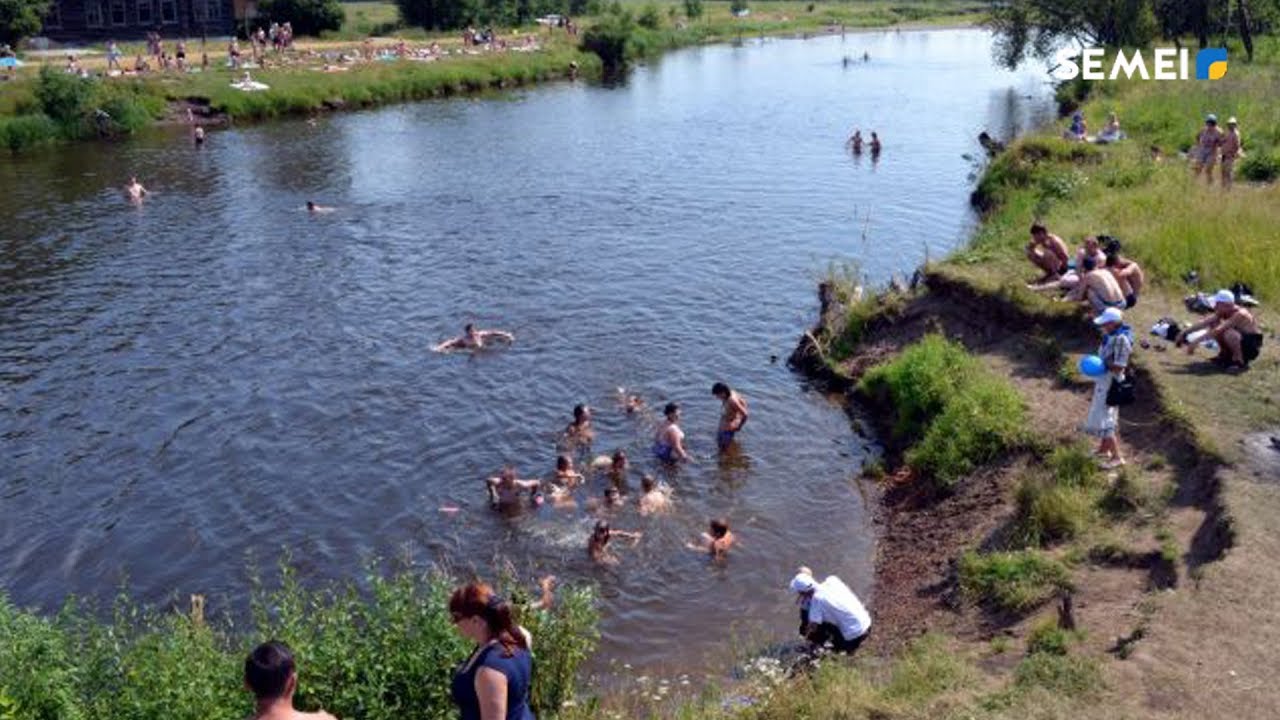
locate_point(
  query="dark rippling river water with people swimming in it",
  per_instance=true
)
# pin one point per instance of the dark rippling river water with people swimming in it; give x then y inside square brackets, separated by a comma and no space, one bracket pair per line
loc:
[220,375]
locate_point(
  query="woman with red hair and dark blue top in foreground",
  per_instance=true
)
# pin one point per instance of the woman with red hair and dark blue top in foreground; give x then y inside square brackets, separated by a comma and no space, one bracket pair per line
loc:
[495,682]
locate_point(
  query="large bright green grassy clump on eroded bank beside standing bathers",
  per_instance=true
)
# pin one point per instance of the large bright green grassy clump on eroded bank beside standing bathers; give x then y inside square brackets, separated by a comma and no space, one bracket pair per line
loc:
[956,414]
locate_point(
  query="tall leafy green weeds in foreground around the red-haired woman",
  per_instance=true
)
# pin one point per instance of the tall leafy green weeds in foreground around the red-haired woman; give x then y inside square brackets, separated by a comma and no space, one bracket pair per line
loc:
[383,653]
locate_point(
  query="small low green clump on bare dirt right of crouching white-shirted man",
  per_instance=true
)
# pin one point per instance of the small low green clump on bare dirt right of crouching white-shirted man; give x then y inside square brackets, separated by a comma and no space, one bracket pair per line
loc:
[1012,581]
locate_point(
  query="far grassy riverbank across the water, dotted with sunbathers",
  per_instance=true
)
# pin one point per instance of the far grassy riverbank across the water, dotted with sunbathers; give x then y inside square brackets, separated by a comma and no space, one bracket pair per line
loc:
[299,85]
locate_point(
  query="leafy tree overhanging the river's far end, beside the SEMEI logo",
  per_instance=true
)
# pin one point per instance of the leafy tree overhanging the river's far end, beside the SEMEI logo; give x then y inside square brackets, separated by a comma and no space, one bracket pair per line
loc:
[1036,29]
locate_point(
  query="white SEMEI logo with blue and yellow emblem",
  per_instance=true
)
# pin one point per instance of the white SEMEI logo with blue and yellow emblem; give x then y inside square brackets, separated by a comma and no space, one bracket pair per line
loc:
[1168,63]
